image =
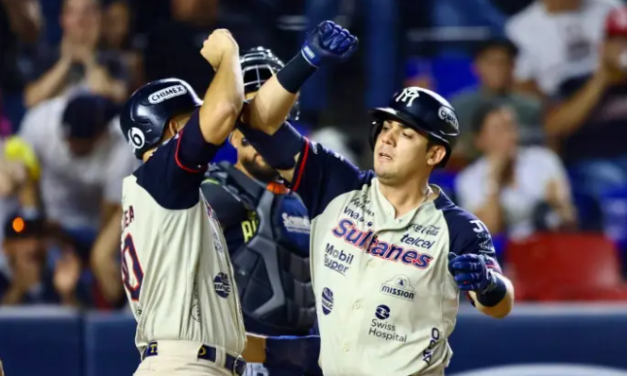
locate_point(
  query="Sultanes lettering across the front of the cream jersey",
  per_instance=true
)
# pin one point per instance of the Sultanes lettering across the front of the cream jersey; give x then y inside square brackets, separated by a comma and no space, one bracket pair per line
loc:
[347,231]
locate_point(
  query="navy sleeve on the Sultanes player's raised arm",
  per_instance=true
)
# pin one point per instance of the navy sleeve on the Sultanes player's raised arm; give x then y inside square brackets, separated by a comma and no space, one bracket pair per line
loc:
[321,175]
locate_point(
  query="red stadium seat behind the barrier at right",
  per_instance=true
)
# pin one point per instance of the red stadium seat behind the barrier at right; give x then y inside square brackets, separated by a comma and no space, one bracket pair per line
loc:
[565,267]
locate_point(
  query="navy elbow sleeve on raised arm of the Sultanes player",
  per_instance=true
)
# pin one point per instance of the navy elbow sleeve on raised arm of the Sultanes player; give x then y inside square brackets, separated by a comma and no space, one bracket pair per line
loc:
[278,149]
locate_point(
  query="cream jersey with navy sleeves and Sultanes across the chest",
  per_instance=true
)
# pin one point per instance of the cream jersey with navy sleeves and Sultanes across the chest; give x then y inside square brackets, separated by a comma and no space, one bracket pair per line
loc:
[386,302]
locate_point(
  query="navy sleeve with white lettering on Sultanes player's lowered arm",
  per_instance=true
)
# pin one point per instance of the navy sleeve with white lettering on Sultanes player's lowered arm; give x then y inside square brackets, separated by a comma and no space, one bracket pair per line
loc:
[468,235]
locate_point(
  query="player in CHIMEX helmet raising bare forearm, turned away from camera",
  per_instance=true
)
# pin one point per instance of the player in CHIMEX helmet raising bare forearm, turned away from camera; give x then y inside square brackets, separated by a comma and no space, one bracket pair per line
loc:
[175,268]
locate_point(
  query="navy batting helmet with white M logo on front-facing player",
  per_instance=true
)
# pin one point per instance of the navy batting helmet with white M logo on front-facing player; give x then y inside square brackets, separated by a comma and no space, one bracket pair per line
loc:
[424,111]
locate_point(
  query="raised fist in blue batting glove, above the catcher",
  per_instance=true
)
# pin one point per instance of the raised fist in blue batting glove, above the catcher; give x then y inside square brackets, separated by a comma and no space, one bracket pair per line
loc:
[328,42]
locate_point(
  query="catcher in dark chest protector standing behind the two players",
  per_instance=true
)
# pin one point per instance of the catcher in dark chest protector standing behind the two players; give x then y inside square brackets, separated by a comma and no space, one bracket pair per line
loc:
[266,227]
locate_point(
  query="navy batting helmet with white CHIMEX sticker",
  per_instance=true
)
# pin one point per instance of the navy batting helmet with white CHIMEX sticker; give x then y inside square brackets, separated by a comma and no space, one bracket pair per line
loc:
[147,112]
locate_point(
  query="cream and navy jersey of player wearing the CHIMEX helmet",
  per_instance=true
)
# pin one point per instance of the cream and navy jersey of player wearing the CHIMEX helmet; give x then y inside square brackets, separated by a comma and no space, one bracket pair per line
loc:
[175,263]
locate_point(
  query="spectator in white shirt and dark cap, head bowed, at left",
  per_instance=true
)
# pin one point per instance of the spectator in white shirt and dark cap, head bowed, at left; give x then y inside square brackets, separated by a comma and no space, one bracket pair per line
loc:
[84,159]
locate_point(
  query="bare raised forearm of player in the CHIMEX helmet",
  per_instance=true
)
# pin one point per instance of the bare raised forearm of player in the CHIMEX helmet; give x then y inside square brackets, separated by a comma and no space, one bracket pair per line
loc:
[223,100]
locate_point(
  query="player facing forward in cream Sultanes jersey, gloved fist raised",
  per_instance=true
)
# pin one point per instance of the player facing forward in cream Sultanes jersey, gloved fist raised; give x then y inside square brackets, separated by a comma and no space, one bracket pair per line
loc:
[390,253]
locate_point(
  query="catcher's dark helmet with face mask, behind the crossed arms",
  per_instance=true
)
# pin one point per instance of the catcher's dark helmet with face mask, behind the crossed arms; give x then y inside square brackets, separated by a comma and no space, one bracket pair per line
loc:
[258,65]
